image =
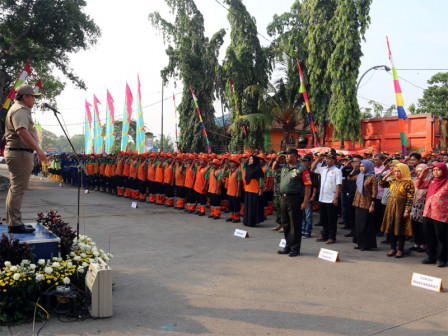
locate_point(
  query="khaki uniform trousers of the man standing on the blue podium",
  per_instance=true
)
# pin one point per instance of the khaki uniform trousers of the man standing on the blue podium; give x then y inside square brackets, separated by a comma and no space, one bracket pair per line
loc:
[20,165]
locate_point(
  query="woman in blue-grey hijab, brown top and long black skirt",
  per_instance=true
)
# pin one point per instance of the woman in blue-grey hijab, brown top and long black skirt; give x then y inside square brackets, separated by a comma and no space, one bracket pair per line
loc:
[364,233]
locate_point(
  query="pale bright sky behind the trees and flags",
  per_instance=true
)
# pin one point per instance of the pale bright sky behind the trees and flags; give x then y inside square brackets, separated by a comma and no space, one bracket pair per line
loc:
[129,45]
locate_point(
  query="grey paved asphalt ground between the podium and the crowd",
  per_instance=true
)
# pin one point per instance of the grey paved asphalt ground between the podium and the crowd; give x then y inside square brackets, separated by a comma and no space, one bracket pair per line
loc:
[180,274]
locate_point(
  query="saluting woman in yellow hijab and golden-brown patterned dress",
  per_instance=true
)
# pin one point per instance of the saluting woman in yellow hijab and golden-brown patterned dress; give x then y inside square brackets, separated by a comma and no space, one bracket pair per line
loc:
[397,221]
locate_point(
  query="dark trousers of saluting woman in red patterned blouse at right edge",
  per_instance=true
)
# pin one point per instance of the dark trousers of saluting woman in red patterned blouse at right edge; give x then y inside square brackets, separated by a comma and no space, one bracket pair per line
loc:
[436,236]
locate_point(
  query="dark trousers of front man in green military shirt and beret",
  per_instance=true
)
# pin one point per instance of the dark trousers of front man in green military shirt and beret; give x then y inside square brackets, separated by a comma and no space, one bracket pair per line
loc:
[291,217]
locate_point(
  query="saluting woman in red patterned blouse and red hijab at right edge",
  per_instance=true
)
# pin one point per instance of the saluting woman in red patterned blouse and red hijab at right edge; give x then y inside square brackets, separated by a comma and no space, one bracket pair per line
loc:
[436,215]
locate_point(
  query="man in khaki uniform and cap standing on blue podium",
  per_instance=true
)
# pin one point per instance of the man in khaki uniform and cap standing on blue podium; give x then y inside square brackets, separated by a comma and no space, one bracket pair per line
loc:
[21,142]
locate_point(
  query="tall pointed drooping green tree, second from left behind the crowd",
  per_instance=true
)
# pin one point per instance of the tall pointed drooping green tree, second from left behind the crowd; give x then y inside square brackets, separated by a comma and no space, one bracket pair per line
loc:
[246,65]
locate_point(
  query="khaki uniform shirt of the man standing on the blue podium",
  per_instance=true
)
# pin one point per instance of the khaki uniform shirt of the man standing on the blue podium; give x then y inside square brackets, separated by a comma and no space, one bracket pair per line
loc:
[19,116]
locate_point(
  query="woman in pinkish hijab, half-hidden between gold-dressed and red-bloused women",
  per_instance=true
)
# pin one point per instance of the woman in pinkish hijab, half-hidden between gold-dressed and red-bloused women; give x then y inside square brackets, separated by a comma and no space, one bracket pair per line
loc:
[417,209]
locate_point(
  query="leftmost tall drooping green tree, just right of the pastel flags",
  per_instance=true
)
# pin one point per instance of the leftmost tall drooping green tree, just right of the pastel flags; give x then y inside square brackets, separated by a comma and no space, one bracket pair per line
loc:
[193,59]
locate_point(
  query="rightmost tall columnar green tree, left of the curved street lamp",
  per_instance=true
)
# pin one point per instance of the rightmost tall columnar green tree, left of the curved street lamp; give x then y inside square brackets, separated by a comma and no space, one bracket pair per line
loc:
[347,27]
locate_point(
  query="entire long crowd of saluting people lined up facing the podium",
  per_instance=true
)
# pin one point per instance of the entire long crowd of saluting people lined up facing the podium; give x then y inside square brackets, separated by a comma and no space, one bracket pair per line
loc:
[375,195]
